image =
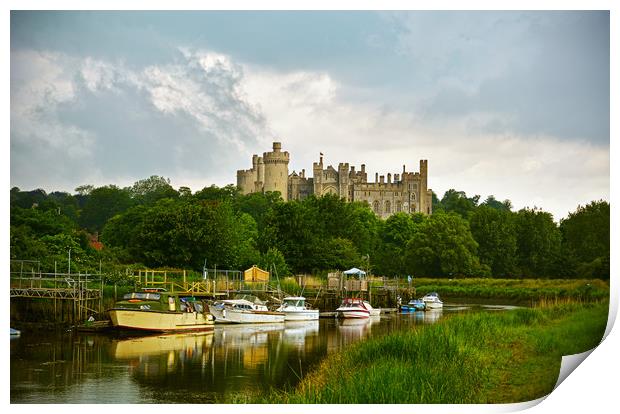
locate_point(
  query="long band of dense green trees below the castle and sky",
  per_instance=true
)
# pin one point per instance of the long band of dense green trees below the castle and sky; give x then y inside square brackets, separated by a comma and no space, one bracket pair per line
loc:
[152,224]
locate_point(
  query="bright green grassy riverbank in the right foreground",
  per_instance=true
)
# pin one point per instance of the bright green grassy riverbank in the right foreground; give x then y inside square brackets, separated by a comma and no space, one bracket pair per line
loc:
[503,357]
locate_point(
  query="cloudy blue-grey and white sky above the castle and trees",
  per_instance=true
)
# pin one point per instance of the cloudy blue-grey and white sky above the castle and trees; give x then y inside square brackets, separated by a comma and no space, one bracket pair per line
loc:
[514,104]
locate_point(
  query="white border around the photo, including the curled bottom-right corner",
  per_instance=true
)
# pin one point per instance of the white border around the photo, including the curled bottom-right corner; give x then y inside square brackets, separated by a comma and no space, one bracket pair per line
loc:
[591,388]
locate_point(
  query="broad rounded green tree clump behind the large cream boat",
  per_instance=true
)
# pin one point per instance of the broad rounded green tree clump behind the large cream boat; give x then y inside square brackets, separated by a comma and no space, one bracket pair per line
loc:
[181,234]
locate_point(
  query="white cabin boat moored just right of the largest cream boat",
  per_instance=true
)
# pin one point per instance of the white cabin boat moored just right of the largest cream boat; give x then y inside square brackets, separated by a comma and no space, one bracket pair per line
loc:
[244,309]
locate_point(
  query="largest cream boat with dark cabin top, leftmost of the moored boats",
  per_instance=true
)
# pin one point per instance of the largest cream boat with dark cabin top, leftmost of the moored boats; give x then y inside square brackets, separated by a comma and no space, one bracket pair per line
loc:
[160,311]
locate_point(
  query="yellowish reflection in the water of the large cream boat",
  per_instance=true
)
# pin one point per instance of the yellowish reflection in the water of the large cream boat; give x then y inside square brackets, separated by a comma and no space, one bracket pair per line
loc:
[137,347]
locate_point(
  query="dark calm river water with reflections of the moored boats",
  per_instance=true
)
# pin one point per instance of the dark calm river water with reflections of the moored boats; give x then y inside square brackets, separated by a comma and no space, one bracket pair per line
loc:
[188,368]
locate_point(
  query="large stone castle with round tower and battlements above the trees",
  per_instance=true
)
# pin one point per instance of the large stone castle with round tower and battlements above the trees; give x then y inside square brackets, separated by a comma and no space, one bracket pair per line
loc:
[406,192]
